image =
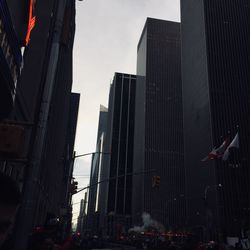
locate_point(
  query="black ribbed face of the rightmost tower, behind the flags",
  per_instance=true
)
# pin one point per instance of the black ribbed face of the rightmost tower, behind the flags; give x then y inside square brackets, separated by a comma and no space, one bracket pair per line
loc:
[228,35]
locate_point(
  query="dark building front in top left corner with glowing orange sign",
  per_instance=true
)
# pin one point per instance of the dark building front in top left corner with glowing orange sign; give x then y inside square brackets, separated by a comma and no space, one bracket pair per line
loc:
[14,19]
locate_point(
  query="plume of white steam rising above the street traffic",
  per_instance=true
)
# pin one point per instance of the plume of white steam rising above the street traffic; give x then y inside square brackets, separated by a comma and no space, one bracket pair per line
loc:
[148,223]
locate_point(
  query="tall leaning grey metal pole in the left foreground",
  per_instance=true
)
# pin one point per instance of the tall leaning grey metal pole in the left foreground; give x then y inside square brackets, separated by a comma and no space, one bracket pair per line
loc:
[27,212]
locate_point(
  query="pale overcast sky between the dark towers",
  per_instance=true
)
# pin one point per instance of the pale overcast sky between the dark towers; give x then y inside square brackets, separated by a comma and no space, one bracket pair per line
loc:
[107,33]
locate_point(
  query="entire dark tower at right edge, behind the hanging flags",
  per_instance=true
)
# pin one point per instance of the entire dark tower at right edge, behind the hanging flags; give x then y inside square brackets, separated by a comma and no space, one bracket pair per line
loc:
[216,94]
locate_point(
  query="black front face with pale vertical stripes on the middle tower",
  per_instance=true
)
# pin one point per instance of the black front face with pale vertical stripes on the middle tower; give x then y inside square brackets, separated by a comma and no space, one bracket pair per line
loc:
[122,140]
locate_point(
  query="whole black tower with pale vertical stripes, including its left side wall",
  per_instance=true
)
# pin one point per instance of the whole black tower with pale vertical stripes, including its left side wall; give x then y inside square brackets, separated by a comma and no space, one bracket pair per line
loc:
[116,193]
